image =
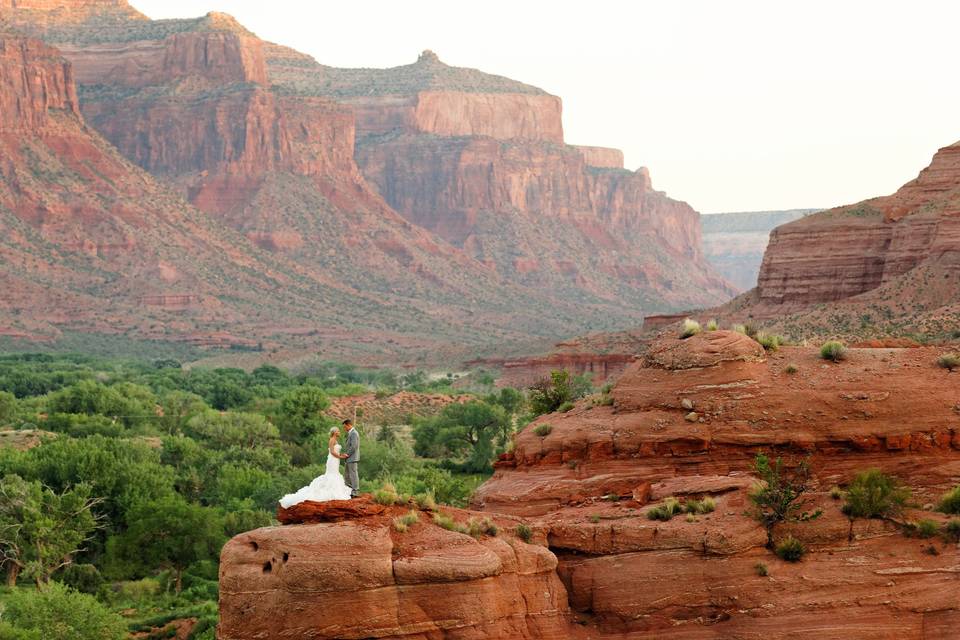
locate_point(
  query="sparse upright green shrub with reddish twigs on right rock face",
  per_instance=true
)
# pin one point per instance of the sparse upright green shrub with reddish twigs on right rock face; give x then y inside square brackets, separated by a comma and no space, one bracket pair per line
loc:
[779,496]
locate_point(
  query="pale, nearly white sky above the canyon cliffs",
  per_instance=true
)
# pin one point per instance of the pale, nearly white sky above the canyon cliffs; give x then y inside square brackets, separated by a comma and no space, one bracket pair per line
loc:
[734,106]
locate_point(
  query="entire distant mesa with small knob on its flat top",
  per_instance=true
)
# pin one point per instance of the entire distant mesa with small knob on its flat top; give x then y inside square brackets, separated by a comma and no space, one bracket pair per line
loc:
[480,160]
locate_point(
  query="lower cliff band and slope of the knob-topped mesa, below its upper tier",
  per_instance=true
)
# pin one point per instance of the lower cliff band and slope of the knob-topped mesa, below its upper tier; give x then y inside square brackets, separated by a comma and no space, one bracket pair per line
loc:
[495,198]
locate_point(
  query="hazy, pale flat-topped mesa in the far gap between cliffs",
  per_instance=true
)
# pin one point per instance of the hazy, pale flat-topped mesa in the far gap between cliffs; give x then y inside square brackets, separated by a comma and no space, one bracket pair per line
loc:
[734,243]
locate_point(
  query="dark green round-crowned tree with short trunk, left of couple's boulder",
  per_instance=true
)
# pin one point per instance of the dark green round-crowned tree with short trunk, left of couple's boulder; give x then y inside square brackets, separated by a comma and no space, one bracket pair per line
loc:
[169,533]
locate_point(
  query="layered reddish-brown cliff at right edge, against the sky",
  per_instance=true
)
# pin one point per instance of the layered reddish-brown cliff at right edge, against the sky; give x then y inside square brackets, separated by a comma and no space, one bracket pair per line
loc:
[852,250]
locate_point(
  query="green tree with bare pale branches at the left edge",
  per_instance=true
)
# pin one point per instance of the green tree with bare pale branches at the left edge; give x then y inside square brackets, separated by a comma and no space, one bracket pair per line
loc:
[40,530]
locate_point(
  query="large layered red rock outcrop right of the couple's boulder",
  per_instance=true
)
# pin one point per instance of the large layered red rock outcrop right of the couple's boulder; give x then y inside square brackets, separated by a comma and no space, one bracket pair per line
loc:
[633,577]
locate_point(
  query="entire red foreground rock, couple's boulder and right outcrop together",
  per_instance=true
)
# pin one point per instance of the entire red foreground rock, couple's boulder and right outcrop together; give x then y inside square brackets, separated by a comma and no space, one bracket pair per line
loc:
[686,422]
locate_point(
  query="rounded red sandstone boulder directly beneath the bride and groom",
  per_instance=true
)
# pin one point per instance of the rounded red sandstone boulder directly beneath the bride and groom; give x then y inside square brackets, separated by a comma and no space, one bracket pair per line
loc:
[359,578]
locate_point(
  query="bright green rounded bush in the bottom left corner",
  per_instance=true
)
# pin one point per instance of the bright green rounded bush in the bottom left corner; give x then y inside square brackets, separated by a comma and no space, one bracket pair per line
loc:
[60,613]
